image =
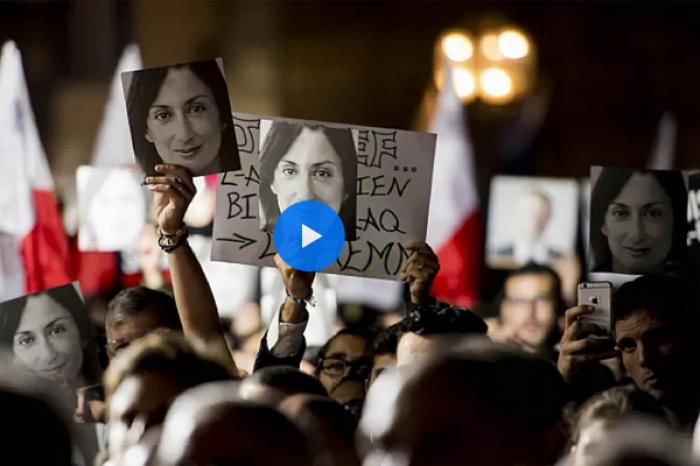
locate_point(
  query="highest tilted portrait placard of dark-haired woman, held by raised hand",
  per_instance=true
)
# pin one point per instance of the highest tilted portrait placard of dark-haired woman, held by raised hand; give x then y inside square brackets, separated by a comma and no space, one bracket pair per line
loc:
[181,114]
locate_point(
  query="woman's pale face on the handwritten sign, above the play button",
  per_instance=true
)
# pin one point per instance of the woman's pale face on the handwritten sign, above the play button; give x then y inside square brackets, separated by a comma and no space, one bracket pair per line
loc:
[311,169]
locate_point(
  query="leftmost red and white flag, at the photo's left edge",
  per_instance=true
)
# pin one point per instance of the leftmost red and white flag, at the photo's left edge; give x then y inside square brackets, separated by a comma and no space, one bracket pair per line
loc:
[33,246]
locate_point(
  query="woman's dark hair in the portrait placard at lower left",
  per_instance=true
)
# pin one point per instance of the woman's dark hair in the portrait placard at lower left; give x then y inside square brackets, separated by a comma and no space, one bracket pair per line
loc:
[67,297]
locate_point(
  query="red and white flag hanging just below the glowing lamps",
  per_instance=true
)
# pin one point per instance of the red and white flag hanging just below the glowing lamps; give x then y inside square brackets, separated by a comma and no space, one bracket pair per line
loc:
[454,229]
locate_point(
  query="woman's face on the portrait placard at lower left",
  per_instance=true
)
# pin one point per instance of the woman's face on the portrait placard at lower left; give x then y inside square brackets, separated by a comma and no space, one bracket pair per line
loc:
[47,341]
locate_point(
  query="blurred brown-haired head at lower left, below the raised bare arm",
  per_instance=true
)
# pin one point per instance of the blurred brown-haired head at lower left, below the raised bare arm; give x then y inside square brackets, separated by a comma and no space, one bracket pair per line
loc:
[143,380]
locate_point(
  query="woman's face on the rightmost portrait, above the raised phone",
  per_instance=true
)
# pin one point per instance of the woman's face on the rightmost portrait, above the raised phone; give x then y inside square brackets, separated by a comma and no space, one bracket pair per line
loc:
[639,226]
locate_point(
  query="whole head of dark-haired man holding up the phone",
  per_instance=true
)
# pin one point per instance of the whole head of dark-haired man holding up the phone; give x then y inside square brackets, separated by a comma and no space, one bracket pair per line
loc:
[654,320]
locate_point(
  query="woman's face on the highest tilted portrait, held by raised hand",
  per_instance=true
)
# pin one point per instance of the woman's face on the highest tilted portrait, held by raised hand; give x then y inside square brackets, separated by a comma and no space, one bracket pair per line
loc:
[184,122]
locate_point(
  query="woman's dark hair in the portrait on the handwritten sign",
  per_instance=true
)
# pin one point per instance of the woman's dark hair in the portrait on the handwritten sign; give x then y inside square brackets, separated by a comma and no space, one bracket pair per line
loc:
[279,139]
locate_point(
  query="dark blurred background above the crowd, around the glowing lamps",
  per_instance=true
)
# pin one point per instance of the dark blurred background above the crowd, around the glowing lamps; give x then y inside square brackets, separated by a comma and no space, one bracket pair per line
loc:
[608,70]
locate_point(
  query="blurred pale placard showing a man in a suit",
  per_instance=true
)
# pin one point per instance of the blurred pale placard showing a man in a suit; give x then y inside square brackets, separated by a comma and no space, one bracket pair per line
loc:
[531,220]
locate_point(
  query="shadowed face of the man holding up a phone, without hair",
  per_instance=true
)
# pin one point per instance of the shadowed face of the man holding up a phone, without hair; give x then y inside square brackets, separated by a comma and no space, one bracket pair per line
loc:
[651,352]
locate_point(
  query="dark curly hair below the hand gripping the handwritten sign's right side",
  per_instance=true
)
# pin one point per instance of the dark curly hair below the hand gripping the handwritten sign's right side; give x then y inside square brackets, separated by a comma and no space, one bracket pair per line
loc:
[442,318]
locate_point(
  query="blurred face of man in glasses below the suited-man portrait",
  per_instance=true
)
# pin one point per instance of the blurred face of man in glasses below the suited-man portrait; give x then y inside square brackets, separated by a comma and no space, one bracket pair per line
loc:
[529,307]
